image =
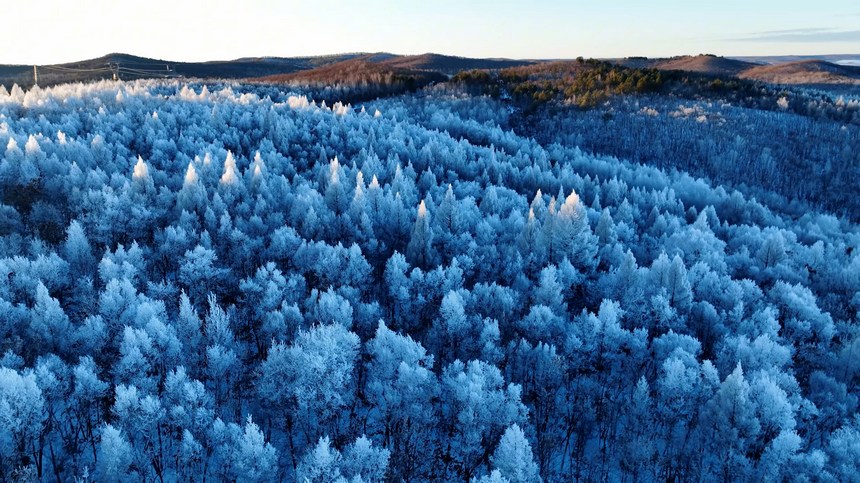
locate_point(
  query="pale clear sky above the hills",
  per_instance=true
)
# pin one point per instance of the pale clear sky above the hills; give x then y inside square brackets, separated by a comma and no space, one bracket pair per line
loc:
[61,31]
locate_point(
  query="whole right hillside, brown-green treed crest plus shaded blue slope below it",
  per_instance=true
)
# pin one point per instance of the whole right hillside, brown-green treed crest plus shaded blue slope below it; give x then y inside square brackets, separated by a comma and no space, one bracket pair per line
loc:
[639,113]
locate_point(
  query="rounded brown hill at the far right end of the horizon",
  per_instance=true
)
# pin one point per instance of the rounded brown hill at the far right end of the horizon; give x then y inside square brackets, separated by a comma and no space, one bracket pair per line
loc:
[805,72]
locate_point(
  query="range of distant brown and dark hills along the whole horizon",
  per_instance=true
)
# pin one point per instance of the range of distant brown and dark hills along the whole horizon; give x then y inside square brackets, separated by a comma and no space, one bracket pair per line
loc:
[416,70]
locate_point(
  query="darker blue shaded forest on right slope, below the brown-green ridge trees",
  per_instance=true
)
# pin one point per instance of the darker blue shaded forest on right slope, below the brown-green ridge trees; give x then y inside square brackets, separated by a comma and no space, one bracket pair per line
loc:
[810,158]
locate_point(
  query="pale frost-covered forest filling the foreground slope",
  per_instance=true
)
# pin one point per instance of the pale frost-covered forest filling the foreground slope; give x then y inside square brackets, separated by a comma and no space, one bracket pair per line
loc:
[233,283]
